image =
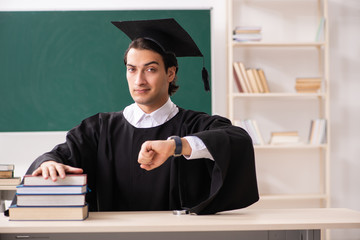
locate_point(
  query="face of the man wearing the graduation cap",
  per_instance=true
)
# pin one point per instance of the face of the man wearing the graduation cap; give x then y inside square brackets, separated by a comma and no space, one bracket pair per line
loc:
[147,79]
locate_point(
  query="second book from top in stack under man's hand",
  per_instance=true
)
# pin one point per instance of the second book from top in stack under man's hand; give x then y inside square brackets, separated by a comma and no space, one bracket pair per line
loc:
[70,189]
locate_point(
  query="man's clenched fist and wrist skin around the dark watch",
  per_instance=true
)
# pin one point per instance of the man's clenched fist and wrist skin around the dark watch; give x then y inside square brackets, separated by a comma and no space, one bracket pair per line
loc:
[154,153]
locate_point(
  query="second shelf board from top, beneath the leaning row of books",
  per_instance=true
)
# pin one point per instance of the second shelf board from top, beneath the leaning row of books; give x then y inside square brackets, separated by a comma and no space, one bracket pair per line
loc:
[276,95]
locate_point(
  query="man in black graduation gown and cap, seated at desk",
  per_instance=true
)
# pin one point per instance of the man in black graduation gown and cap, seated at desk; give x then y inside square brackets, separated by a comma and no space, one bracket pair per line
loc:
[155,155]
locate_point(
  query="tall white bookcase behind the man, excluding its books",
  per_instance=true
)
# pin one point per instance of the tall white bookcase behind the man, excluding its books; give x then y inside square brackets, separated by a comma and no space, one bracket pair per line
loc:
[289,48]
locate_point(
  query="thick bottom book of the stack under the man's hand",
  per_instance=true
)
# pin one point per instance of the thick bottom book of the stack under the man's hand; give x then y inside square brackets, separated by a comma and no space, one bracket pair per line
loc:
[70,213]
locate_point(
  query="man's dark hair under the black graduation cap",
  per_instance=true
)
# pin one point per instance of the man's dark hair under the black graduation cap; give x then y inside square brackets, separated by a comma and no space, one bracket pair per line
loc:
[169,58]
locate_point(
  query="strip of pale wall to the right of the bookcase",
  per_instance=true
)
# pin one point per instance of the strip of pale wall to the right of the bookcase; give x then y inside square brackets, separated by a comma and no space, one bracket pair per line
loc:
[345,106]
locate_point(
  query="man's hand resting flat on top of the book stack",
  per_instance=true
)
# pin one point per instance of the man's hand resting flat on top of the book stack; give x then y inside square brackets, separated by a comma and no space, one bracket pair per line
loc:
[53,169]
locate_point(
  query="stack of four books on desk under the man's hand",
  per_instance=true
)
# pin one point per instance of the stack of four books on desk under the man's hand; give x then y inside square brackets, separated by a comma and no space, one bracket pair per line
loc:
[43,199]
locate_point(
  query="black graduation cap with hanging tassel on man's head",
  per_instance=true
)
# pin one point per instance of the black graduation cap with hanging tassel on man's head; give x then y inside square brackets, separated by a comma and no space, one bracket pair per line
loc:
[169,35]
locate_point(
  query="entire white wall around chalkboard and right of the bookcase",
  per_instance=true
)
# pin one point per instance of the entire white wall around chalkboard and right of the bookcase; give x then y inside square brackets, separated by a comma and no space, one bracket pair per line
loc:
[345,87]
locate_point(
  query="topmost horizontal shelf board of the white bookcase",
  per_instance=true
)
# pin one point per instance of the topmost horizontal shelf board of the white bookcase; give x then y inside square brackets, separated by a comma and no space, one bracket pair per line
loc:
[278,44]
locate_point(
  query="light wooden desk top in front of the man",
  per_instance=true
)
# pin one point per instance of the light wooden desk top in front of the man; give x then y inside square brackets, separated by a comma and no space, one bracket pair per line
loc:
[239,220]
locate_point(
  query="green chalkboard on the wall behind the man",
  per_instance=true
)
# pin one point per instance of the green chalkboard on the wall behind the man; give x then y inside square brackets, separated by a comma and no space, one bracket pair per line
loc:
[59,67]
